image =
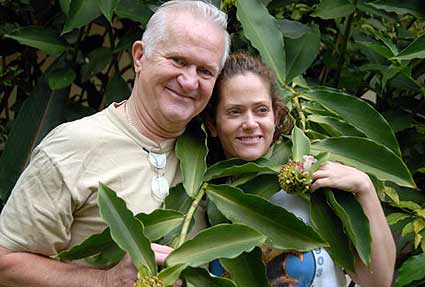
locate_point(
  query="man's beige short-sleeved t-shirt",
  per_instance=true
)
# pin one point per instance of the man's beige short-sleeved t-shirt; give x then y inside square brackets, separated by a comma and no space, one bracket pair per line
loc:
[54,203]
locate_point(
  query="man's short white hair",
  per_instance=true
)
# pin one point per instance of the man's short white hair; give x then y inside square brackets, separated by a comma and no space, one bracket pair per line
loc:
[156,29]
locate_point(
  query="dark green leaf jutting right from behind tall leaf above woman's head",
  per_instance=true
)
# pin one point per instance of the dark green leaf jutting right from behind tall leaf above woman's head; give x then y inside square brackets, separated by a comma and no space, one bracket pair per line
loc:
[300,53]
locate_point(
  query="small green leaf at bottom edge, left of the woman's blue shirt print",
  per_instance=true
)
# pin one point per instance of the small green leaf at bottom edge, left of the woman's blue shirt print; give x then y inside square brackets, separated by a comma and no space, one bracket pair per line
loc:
[201,277]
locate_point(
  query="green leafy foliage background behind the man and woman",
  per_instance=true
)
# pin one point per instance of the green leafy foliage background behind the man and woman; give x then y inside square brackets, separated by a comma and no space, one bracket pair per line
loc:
[62,60]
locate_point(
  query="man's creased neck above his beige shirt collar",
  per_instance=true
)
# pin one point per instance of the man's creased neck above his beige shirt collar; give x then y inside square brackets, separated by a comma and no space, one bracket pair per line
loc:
[147,126]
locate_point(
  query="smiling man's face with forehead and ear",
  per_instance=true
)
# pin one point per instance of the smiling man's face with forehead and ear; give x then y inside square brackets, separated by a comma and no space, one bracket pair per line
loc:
[176,81]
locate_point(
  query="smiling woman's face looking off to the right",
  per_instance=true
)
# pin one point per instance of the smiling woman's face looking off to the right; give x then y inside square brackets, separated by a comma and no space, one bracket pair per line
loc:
[245,118]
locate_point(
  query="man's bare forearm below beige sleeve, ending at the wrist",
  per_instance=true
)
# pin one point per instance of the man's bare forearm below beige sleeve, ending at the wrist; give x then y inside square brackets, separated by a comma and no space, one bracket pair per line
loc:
[31,270]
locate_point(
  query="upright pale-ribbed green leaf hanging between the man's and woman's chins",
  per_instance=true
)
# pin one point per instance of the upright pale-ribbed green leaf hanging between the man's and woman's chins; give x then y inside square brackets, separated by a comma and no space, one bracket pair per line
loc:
[192,150]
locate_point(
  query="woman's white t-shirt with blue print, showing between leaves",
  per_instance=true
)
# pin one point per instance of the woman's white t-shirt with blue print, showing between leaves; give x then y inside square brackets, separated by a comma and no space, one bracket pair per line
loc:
[310,269]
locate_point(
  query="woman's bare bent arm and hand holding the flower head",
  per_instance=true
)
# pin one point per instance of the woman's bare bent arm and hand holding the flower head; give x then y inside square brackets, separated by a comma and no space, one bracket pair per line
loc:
[349,179]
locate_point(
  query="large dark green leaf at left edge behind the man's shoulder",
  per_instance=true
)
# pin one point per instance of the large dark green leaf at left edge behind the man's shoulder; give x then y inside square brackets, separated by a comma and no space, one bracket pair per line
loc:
[41,112]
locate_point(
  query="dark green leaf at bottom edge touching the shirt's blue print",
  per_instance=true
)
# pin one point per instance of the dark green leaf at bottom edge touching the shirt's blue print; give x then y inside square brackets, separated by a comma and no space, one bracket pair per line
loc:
[247,269]
